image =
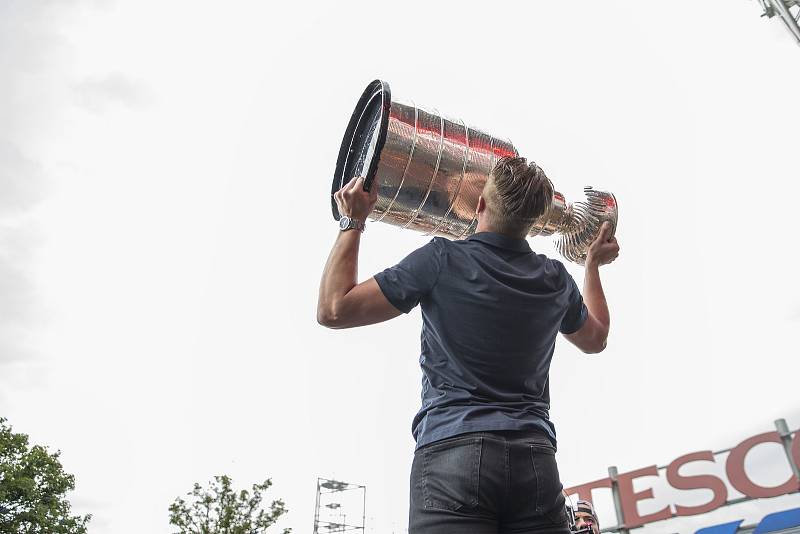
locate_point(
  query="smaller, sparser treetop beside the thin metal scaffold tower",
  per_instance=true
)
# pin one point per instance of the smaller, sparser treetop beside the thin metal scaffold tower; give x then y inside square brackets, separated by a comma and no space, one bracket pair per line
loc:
[219,509]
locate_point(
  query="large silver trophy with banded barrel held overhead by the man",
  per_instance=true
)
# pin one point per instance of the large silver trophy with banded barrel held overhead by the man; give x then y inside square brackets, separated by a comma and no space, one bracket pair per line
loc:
[430,171]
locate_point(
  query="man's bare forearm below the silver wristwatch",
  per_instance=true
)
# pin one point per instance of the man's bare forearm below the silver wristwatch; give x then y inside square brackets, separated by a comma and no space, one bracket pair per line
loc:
[340,275]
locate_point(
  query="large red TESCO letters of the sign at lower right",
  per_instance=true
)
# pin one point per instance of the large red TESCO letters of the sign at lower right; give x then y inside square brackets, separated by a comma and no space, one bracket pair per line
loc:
[734,470]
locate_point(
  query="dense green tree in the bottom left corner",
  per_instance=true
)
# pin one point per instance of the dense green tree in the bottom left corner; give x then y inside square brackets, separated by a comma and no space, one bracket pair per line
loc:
[33,486]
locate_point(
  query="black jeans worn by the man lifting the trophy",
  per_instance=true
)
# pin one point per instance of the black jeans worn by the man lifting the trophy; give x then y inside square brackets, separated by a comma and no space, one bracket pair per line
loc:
[487,483]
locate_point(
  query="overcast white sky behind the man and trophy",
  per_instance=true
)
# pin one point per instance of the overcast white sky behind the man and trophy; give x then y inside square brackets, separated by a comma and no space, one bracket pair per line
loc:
[164,219]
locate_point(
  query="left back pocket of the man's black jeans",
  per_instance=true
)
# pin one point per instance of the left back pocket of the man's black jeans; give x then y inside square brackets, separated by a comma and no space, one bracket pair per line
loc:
[450,473]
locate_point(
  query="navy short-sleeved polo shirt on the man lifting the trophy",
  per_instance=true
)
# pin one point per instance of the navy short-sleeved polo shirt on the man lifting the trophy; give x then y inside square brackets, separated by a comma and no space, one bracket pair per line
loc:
[491,310]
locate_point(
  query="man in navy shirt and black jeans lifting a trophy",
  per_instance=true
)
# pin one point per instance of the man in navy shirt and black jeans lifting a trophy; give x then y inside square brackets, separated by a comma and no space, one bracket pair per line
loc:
[491,310]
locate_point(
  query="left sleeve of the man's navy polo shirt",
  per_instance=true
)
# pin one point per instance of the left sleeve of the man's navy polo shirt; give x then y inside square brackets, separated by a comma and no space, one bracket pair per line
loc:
[408,282]
